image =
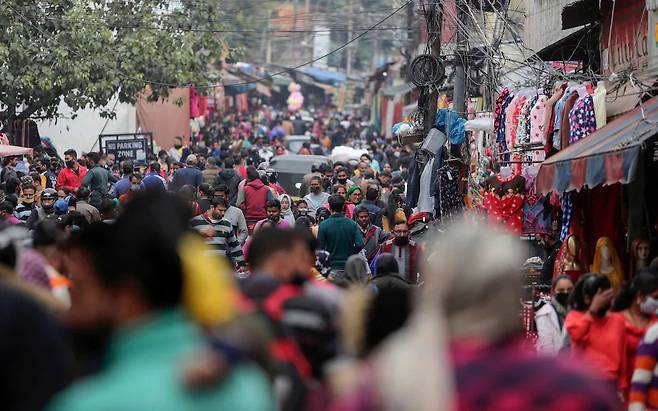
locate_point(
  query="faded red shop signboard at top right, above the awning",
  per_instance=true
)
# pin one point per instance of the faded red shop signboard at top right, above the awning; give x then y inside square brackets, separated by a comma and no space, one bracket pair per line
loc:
[624,39]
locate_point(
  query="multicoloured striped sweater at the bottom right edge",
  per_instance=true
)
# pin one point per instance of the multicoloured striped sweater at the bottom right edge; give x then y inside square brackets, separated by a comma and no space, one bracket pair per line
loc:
[644,385]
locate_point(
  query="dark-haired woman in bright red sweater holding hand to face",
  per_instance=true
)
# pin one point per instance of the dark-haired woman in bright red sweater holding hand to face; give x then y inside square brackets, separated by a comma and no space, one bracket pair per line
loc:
[598,336]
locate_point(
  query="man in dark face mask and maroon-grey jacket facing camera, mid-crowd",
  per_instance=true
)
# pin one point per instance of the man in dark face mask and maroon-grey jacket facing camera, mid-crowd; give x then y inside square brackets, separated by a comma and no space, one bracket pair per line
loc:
[405,251]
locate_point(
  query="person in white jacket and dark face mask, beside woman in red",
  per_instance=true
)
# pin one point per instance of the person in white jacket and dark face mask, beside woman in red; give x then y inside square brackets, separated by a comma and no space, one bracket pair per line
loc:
[550,317]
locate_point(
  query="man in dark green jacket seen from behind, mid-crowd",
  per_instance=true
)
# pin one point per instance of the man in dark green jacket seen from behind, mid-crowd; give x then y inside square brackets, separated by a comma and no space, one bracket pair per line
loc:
[339,235]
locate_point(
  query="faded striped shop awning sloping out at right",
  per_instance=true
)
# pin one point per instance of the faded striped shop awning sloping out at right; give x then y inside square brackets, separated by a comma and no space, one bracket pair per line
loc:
[608,156]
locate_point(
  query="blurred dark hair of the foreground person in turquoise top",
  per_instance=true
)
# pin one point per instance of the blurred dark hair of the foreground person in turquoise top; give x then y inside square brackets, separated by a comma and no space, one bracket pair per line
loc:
[151,226]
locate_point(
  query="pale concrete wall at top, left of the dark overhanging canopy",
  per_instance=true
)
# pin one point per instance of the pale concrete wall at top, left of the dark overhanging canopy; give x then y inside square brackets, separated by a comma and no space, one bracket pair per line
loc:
[543,25]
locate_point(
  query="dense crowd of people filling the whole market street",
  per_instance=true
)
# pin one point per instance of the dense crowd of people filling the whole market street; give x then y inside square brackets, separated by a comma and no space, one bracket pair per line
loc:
[194,281]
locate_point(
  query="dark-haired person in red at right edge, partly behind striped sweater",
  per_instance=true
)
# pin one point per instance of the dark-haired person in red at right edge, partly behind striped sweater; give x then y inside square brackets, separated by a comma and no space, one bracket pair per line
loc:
[637,301]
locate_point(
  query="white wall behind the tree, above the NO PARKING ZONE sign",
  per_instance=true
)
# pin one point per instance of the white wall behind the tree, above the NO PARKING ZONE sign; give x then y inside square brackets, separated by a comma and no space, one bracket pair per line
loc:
[81,133]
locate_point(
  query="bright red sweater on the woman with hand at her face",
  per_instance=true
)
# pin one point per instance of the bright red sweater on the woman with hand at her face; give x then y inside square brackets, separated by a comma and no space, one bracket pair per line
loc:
[600,342]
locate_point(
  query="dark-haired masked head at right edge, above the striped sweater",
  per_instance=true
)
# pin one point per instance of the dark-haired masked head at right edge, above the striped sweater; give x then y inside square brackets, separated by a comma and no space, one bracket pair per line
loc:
[639,294]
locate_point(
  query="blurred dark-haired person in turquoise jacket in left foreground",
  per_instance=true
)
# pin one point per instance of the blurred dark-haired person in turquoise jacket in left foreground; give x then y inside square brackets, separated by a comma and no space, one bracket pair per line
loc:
[139,297]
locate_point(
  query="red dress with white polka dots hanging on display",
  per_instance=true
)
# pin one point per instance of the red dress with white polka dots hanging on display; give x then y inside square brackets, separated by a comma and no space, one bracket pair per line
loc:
[504,201]
